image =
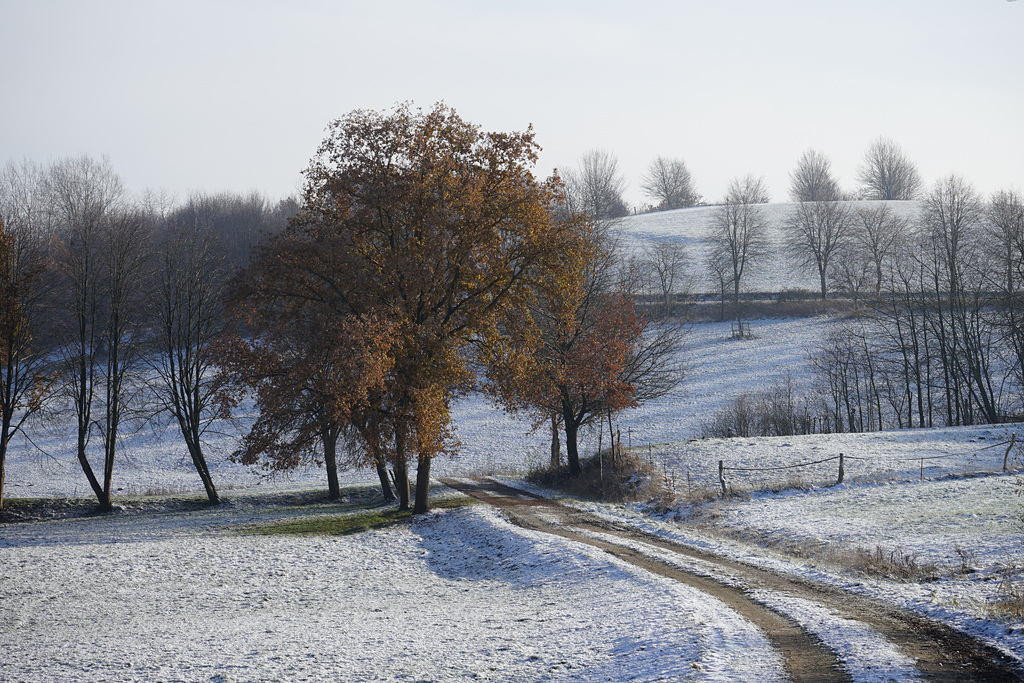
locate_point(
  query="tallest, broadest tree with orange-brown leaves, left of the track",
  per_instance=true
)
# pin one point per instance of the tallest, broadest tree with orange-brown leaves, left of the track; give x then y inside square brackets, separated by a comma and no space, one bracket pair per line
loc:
[424,223]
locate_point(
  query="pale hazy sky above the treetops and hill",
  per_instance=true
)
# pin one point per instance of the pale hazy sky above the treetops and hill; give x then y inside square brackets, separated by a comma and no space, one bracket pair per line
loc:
[190,96]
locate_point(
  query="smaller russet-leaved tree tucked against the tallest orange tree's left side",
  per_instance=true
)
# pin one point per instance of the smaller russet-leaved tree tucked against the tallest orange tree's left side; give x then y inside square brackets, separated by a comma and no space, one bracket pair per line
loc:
[310,374]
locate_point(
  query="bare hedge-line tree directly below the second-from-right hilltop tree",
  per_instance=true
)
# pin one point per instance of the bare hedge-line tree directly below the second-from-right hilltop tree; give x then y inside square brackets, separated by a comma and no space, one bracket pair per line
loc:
[818,234]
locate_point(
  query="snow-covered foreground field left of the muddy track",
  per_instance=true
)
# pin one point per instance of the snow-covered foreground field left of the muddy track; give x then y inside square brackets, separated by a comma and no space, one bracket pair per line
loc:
[457,595]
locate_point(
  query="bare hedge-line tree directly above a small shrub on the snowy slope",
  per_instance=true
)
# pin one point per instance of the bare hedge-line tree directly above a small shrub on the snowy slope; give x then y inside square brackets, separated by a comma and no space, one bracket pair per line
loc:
[739,230]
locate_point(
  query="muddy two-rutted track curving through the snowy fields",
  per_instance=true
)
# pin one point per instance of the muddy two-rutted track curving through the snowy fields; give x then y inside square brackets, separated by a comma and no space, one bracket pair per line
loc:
[941,653]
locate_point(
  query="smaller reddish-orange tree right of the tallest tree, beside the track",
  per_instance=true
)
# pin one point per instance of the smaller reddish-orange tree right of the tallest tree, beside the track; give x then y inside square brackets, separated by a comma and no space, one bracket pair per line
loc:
[582,354]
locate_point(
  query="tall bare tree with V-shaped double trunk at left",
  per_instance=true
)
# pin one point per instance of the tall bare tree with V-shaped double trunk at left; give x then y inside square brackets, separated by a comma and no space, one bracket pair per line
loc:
[100,264]
